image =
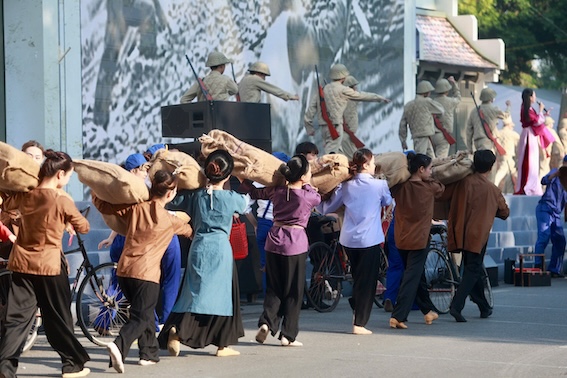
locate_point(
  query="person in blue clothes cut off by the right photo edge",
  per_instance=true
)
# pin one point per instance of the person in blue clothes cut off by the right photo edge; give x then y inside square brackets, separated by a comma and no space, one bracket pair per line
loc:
[549,227]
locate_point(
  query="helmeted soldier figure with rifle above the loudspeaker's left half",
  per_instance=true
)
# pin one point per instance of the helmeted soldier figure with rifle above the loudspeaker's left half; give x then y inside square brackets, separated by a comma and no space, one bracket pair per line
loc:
[215,84]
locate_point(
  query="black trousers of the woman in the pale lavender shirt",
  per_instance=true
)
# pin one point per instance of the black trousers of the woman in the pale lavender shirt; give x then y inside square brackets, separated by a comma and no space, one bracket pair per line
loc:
[364,263]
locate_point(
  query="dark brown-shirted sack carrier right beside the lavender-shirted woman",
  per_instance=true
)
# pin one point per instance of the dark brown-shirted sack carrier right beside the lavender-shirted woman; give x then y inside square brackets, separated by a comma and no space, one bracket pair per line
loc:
[413,214]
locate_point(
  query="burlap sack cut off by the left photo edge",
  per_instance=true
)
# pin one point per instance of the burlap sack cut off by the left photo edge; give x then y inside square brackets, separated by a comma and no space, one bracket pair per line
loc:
[18,172]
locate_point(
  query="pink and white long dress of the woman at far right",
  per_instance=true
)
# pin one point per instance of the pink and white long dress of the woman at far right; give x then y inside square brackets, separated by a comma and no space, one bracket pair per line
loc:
[534,134]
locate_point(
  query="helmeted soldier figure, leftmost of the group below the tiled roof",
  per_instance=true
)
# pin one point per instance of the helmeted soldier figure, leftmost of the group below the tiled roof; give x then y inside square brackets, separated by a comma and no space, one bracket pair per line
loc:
[418,115]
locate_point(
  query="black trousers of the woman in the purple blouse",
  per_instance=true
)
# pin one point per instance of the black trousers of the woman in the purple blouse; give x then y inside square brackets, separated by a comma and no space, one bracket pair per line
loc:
[285,281]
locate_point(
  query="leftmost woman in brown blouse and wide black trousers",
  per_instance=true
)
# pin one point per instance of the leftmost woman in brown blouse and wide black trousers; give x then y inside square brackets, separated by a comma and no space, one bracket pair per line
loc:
[39,269]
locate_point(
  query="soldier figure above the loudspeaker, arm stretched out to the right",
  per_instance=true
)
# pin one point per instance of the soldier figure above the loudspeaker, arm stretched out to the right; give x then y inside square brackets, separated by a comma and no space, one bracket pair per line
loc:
[251,86]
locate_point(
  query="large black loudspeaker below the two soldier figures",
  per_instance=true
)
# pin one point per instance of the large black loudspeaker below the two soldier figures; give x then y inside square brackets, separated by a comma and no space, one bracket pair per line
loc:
[245,120]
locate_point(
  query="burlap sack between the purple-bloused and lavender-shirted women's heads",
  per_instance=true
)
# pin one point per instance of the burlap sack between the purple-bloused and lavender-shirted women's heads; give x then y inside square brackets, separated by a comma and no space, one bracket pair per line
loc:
[329,171]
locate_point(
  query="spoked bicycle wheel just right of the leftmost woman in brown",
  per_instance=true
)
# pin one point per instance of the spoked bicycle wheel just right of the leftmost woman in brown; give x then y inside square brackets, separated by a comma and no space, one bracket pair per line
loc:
[102,308]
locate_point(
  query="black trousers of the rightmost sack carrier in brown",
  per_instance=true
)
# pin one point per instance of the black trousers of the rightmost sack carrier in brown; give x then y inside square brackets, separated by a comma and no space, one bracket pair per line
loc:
[471,283]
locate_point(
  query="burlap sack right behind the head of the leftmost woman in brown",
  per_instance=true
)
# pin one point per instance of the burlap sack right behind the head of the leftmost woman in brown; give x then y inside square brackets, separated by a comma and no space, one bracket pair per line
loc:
[111,183]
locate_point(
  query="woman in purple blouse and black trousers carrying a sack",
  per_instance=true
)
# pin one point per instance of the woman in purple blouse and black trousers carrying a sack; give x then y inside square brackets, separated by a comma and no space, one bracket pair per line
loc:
[286,249]
